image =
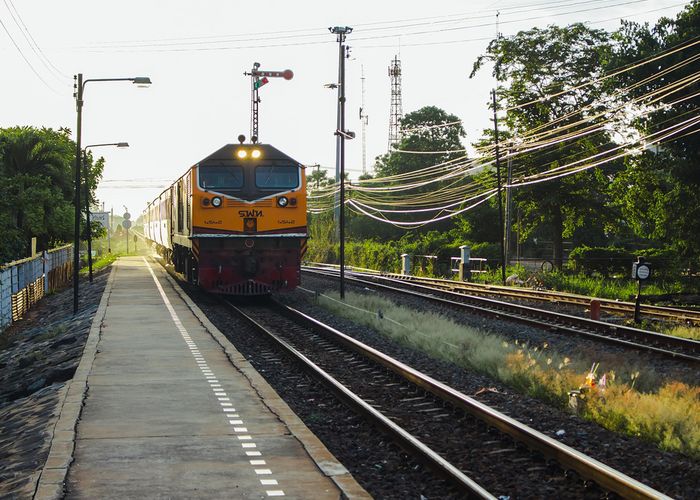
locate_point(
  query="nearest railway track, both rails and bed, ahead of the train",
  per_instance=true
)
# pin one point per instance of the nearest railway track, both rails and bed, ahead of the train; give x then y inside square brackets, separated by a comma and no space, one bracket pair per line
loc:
[494,455]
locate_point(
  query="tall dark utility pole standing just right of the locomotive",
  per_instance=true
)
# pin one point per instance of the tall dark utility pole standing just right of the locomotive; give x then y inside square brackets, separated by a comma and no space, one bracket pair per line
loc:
[341,32]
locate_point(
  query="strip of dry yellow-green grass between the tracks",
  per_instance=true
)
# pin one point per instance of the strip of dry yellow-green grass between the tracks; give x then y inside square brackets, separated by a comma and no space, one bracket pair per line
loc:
[634,401]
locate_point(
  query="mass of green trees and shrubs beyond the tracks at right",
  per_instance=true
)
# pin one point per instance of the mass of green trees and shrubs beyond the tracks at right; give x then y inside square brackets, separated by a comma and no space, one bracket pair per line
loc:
[650,199]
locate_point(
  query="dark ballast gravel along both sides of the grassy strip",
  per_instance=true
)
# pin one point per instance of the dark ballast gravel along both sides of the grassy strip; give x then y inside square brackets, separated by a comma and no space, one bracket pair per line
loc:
[671,473]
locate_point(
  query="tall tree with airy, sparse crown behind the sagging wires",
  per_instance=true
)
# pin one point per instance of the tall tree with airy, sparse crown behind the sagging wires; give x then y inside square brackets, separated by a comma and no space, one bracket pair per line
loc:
[531,67]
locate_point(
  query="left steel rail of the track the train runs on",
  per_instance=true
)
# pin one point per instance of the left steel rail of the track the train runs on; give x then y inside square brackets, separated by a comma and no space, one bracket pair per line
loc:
[404,438]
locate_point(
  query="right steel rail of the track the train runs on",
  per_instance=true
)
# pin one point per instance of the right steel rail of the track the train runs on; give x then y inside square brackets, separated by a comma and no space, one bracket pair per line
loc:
[587,467]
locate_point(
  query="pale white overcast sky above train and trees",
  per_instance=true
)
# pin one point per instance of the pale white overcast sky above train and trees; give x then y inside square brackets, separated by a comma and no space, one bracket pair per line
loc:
[196,53]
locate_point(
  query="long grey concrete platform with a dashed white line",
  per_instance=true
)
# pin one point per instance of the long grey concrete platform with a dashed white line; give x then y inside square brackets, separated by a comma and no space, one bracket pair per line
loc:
[172,410]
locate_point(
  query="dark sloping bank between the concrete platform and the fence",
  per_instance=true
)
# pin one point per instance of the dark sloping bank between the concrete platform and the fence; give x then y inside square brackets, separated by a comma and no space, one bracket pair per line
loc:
[38,356]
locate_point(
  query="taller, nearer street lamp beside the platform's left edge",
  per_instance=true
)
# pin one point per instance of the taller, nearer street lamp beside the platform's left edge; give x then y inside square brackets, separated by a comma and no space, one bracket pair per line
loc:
[79,88]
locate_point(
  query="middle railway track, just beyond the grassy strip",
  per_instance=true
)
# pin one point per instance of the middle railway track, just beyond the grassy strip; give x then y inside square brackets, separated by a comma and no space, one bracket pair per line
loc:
[676,347]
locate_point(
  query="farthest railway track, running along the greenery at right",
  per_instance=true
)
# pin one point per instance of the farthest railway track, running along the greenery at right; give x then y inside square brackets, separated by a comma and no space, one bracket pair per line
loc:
[675,314]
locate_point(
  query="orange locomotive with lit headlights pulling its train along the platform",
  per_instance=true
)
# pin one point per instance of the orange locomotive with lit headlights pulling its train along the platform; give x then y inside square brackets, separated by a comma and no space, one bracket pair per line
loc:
[235,222]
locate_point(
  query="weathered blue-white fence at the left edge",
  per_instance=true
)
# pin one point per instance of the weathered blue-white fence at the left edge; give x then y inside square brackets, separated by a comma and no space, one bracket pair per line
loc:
[24,282]
